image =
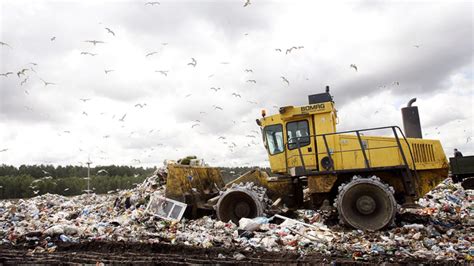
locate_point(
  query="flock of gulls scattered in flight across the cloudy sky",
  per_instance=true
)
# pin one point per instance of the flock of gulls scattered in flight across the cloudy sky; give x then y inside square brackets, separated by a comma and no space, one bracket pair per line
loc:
[29,72]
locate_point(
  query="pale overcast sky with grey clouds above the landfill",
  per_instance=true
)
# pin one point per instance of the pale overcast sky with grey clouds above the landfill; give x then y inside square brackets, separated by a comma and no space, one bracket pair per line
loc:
[401,49]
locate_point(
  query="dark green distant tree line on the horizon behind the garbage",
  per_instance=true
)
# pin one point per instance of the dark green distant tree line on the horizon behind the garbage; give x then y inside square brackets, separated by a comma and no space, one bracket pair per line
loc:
[32,180]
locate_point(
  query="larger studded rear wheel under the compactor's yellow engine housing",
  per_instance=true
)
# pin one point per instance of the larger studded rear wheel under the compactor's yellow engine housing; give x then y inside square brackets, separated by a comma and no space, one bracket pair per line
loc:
[366,203]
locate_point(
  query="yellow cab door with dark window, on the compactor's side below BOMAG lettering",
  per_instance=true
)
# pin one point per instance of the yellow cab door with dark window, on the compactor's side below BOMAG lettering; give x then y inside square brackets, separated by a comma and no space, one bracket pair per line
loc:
[301,131]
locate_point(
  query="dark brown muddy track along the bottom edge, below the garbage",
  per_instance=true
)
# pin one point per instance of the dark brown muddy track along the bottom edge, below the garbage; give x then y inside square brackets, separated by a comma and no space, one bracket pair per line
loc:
[140,253]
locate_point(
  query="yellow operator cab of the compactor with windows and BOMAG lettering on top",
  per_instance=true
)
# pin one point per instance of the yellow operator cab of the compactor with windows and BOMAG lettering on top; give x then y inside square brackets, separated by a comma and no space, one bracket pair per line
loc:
[289,137]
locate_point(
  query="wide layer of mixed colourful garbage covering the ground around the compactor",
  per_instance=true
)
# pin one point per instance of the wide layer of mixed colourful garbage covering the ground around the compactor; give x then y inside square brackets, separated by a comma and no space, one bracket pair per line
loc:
[42,222]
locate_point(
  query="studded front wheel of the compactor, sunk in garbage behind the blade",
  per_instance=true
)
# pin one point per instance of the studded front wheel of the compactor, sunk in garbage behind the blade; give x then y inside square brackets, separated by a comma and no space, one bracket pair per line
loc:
[241,201]
